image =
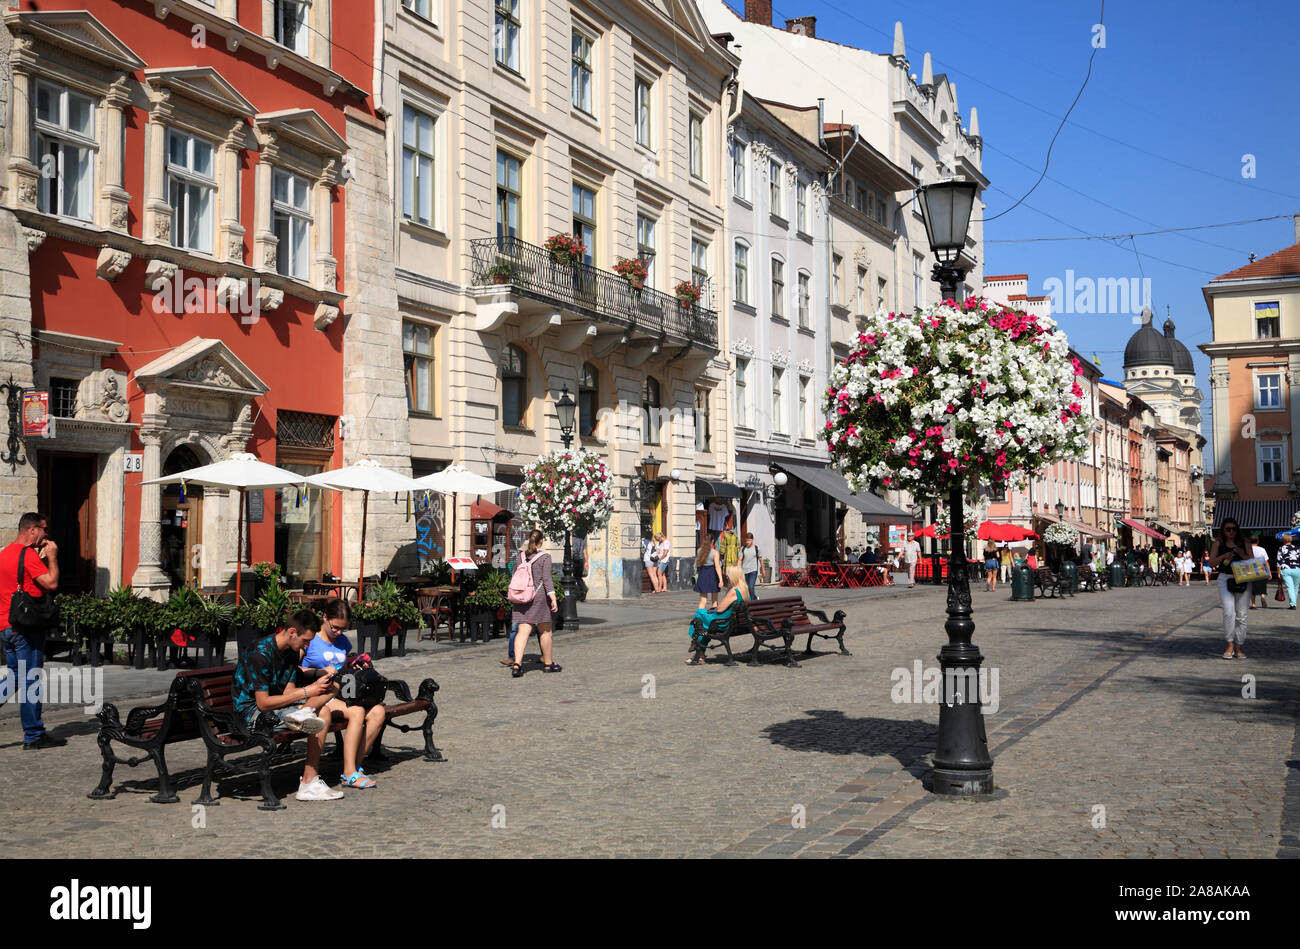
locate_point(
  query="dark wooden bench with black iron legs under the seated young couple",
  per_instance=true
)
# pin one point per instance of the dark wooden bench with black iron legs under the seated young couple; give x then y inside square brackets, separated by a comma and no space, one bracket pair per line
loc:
[200,705]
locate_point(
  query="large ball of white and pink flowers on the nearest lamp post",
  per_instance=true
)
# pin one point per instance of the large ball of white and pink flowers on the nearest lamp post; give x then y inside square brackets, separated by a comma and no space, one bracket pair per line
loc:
[955,396]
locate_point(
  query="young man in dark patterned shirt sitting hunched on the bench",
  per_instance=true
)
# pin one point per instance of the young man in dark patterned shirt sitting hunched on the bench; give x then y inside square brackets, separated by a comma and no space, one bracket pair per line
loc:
[263,683]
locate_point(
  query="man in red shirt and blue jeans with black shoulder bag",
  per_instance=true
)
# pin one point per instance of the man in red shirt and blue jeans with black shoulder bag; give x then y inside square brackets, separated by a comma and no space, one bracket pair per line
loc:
[25,647]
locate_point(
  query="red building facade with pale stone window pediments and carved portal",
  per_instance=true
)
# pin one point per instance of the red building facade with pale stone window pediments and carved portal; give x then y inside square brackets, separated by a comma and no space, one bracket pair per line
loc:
[175,211]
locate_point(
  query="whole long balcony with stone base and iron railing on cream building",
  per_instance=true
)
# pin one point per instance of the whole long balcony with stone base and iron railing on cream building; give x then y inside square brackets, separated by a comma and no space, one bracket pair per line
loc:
[597,304]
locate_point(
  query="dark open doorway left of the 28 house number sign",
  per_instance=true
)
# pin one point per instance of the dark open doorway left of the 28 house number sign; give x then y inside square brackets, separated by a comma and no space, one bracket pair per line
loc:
[67,483]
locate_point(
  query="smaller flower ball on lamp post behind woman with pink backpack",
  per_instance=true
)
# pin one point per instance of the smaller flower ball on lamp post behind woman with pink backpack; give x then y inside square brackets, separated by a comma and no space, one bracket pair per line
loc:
[567,491]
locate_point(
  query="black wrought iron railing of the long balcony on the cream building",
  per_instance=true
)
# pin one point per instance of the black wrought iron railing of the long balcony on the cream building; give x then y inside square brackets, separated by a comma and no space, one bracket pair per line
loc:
[601,294]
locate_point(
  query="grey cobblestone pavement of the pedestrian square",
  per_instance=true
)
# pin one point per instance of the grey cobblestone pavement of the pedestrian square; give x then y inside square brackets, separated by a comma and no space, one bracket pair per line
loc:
[1120,733]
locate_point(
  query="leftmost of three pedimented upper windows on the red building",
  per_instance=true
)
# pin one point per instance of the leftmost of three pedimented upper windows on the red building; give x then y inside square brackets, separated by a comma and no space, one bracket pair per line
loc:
[66,151]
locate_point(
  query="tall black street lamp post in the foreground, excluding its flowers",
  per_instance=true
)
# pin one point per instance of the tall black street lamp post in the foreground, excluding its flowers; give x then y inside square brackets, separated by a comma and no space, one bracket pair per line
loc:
[963,764]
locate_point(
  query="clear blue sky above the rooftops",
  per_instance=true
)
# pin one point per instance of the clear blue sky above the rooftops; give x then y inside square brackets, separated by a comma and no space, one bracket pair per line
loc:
[1180,94]
